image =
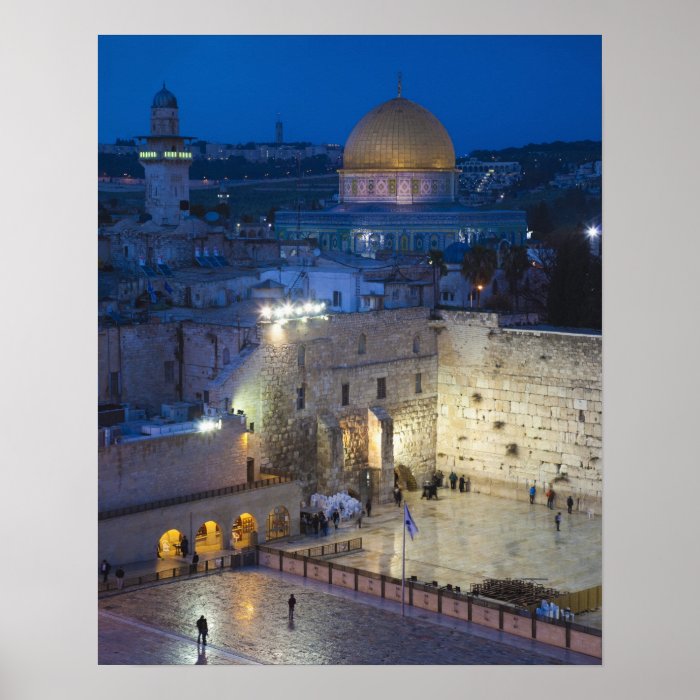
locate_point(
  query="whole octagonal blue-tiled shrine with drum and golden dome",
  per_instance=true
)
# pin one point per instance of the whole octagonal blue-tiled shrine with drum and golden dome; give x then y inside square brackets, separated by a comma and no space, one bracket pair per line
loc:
[398,192]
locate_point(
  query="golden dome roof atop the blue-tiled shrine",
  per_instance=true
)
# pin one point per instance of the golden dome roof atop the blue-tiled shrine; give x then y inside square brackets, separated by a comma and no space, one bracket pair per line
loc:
[399,135]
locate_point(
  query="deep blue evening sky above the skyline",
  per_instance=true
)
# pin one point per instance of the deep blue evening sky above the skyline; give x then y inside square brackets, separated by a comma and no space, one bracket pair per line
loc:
[488,91]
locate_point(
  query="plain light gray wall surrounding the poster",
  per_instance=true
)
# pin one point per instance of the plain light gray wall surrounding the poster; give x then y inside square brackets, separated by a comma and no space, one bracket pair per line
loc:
[48,63]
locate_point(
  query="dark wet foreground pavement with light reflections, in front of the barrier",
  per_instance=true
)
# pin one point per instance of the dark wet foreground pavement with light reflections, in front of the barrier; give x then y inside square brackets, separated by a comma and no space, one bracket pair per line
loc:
[248,623]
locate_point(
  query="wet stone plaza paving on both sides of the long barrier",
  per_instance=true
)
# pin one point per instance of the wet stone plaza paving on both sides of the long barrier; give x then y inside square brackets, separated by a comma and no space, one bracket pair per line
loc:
[462,539]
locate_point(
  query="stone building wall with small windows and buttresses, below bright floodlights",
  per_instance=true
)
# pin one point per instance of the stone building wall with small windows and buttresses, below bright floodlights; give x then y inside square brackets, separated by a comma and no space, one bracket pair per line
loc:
[397,345]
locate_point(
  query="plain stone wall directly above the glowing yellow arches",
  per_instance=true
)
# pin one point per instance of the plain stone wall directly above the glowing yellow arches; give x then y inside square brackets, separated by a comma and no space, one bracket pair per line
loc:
[154,468]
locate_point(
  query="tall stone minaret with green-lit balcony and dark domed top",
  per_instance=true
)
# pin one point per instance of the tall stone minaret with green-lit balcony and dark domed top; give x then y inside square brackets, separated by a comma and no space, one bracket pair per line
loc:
[166,162]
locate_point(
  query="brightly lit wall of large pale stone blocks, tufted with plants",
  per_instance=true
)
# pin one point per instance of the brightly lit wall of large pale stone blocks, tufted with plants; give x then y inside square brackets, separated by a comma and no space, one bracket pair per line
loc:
[517,407]
